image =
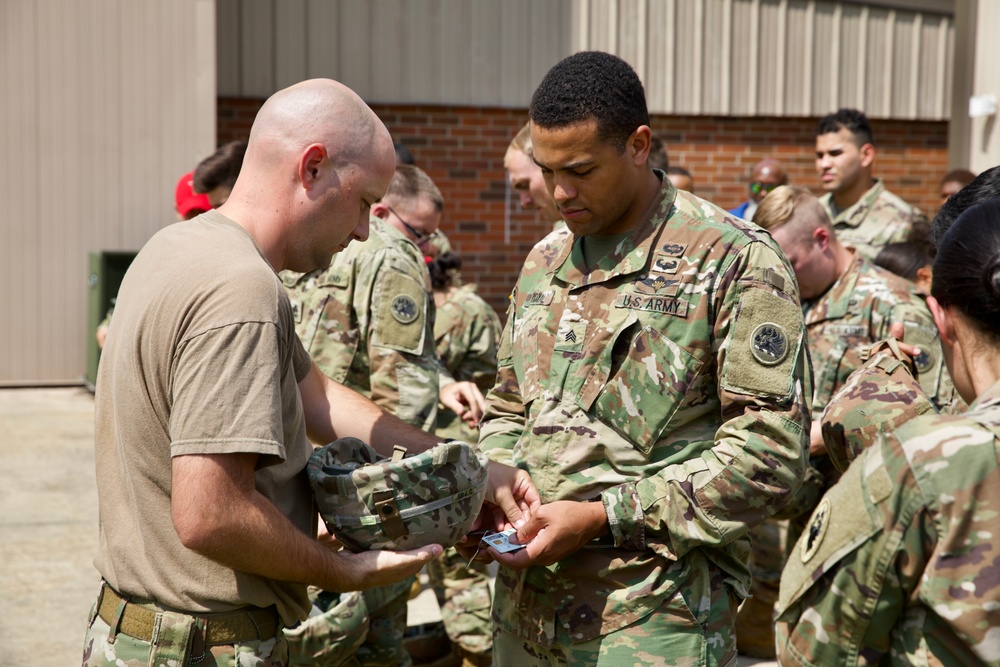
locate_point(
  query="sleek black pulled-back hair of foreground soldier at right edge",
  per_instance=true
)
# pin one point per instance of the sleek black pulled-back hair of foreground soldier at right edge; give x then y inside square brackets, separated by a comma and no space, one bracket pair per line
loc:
[967,268]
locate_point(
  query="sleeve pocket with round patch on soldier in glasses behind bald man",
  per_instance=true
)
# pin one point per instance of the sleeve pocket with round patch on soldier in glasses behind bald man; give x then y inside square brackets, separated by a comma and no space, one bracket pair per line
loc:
[400,311]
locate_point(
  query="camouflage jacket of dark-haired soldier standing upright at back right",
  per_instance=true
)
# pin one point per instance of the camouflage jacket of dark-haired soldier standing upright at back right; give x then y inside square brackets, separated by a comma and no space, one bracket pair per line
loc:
[874,221]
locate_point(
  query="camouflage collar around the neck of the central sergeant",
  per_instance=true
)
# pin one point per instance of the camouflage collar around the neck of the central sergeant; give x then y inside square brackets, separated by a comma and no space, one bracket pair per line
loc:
[630,256]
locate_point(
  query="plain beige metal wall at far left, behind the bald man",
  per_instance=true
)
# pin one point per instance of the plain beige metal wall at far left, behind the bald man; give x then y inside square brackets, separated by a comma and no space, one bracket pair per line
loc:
[98,121]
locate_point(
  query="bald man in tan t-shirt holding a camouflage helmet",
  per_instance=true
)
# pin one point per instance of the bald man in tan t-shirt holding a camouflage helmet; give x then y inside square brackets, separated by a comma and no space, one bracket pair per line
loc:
[205,398]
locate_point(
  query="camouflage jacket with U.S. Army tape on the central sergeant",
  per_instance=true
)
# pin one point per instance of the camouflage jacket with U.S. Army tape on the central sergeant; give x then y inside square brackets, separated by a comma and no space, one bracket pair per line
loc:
[667,383]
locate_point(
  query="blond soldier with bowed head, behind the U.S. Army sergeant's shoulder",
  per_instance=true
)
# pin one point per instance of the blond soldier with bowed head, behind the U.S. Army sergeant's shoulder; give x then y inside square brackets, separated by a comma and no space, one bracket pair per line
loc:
[848,305]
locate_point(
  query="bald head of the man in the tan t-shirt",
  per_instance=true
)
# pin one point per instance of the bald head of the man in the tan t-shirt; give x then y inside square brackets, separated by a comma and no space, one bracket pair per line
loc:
[317,159]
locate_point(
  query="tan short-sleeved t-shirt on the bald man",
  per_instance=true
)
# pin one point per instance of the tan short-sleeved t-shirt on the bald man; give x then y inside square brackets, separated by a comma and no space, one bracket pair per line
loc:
[203,359]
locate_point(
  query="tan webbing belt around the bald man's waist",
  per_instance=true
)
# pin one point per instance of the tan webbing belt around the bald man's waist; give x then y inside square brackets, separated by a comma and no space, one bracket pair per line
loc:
[234,627]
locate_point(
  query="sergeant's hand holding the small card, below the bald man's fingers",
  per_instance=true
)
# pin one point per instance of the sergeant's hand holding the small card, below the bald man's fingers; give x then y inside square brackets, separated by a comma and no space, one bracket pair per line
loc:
[554,531]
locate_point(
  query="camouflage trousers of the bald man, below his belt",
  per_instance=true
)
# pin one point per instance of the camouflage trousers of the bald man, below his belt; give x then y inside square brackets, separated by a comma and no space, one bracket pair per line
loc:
[172,649]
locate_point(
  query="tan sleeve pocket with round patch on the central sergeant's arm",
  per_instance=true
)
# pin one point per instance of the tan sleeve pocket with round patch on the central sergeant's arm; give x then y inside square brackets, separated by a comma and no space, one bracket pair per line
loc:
[763,345]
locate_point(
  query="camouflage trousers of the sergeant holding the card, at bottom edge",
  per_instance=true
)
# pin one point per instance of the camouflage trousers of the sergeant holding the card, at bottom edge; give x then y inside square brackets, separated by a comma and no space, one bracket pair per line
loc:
[668,637]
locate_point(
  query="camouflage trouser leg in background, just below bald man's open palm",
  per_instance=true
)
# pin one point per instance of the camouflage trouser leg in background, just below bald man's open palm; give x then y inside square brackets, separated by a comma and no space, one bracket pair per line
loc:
[463,592]
